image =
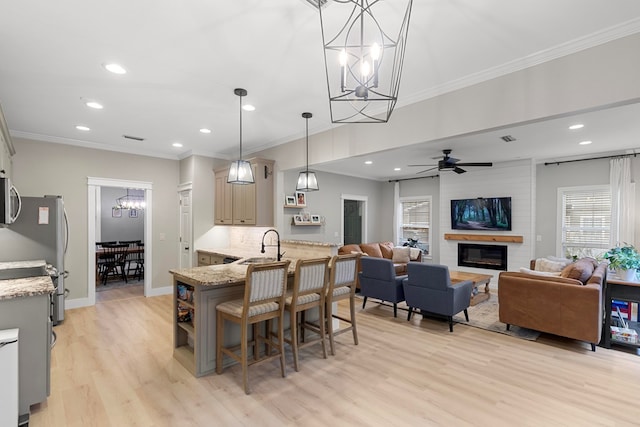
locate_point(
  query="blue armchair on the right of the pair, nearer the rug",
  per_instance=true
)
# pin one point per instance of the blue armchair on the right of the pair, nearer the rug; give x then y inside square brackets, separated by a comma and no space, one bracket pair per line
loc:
[428,288]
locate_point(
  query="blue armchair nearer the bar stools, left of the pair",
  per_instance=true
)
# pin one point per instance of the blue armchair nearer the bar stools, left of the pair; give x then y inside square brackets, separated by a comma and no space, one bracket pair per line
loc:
[378,280]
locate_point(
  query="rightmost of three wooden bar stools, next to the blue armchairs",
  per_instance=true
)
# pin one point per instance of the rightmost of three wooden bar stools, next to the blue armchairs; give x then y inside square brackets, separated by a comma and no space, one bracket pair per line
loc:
[342,286]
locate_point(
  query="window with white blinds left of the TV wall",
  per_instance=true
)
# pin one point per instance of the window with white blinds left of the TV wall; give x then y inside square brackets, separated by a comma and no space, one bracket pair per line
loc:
[415,221]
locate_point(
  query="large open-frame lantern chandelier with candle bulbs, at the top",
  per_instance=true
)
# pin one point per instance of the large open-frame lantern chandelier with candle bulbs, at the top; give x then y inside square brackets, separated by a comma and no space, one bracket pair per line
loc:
[362,60]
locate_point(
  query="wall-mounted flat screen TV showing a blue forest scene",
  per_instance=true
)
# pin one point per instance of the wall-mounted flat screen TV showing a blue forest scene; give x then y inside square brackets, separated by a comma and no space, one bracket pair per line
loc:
[483,213]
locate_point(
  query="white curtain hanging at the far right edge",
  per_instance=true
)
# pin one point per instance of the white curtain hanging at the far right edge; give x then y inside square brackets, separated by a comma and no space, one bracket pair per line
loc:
[622,202]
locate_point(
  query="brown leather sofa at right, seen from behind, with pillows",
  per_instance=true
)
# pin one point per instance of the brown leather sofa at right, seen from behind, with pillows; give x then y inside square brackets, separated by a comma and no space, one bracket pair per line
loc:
[569,305]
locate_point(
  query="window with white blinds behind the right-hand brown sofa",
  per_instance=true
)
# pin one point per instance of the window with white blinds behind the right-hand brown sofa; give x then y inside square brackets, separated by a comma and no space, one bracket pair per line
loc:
[585,220]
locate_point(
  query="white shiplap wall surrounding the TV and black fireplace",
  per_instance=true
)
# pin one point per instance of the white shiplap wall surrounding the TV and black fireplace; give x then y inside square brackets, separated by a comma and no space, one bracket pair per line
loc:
[513,179]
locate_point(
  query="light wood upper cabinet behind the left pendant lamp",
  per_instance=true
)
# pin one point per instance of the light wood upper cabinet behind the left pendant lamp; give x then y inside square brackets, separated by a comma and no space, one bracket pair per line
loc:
[250,204]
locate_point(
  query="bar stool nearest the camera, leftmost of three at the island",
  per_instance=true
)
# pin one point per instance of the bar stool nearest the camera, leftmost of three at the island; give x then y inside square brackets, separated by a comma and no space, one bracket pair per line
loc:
[264,292]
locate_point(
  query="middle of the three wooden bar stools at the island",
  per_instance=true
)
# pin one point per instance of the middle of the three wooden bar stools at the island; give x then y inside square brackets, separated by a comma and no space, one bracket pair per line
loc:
[309,291]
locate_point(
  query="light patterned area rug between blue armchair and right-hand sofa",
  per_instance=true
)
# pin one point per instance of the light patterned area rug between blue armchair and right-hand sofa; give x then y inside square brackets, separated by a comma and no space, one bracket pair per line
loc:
[485,316]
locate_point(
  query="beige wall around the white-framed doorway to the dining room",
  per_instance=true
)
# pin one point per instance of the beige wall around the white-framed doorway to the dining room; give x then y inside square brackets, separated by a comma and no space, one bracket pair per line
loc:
[49,168]
